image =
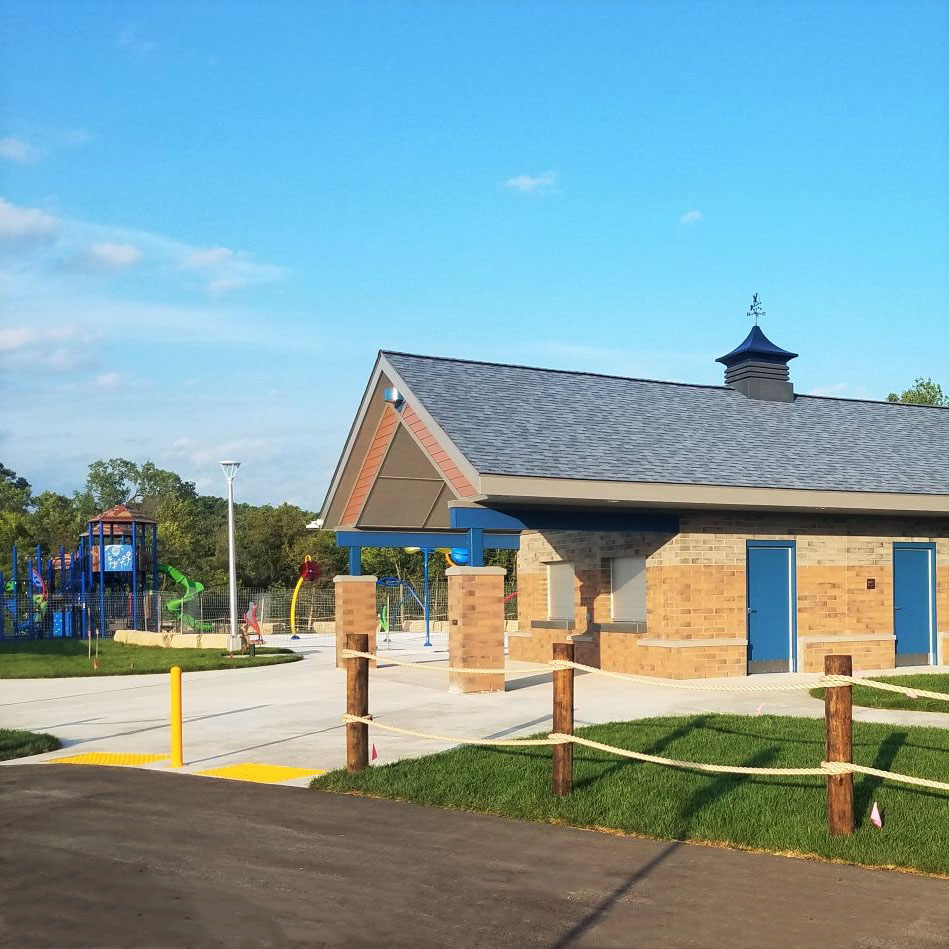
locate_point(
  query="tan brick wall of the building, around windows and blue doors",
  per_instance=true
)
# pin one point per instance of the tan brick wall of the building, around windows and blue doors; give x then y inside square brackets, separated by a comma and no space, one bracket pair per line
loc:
[695,590]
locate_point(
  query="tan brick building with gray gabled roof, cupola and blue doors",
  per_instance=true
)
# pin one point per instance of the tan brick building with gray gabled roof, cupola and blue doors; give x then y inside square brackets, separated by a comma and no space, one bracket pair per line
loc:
[670,529]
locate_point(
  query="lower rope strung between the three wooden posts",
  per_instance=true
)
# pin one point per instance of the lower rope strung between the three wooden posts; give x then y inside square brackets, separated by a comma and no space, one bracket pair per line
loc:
[559,738]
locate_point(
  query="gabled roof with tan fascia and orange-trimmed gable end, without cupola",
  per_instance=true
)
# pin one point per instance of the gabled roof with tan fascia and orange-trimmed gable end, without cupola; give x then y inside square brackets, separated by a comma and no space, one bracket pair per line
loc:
[462,434]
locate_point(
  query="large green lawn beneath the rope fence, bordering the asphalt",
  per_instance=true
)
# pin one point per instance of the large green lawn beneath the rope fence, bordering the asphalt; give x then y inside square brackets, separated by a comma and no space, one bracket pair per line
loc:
[776,814]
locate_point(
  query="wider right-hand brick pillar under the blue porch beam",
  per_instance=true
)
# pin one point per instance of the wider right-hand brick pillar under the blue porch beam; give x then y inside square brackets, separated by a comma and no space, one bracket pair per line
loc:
[476,626]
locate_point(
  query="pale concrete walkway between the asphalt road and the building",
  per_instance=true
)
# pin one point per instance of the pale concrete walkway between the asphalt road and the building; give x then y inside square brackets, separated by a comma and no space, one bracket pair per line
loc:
[290,714]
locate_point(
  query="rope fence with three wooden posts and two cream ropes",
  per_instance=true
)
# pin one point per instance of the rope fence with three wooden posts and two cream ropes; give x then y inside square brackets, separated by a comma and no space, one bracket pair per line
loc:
[838,769]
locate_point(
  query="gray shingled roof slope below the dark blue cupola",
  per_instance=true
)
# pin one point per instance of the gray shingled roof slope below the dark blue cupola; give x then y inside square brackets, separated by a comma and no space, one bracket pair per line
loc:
[515,420]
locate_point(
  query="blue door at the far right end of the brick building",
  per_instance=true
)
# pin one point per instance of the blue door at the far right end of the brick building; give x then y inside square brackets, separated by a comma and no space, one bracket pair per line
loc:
[914,602]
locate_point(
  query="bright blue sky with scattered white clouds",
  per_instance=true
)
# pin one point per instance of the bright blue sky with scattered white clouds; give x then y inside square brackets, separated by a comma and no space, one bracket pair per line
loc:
[214,214]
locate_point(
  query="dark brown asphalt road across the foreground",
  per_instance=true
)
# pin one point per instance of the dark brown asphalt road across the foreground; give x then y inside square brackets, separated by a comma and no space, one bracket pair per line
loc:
[95,856]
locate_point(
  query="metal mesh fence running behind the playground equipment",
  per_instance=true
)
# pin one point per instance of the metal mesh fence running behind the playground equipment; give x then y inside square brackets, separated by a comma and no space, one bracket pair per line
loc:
[400,609]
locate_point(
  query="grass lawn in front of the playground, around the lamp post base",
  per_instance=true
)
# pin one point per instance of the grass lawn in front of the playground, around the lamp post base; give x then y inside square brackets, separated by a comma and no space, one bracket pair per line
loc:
[58,658]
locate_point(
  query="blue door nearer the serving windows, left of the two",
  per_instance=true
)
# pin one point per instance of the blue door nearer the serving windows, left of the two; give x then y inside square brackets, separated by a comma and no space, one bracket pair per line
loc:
[771,606]
